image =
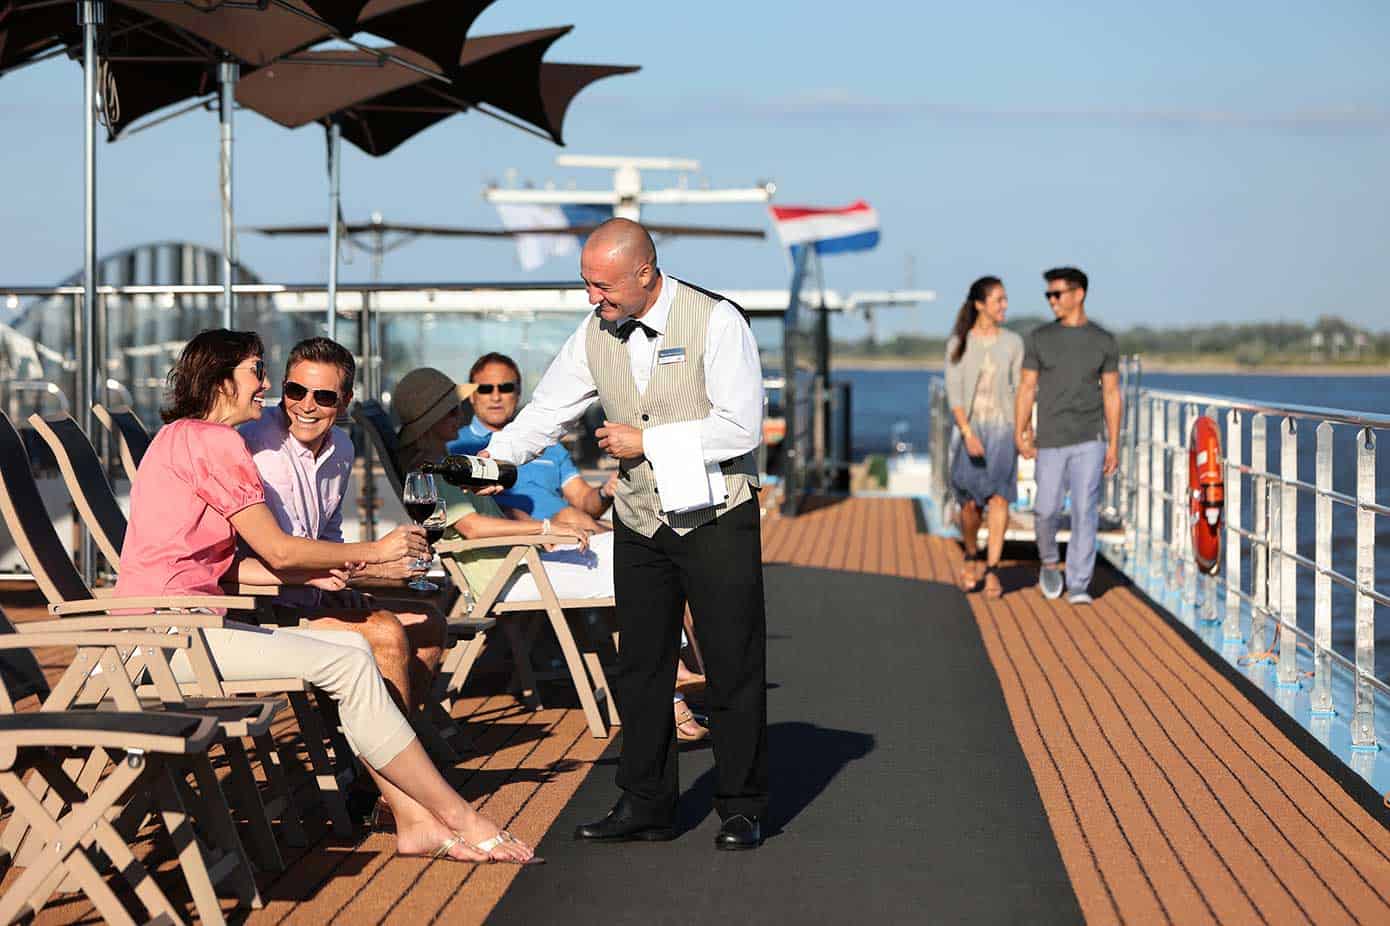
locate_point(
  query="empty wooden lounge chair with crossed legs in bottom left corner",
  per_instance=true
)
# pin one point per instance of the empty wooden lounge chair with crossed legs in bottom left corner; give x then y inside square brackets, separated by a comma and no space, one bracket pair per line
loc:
[148,760]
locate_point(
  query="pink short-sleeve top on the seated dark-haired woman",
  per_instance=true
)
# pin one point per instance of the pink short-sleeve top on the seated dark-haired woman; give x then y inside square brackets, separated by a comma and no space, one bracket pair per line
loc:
[180,542]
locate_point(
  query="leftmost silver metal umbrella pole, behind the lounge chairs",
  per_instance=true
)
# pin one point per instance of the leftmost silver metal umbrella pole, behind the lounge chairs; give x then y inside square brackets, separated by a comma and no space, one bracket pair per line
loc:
[91,15]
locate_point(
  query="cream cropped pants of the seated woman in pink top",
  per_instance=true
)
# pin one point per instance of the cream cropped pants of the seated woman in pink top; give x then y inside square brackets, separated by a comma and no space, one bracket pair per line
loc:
[337,661]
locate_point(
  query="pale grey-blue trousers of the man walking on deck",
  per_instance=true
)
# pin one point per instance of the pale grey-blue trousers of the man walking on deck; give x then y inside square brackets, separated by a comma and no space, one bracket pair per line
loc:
[1074,469]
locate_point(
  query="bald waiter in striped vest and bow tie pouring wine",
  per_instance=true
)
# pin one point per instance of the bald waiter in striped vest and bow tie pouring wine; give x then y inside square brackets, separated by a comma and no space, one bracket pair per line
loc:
[676,369]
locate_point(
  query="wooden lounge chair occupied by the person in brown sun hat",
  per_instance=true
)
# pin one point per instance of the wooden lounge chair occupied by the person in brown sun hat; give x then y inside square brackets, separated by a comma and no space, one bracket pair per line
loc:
[584,669]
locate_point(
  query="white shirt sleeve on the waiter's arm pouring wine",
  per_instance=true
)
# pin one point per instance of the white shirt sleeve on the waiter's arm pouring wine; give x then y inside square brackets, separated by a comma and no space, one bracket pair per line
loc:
[565,393]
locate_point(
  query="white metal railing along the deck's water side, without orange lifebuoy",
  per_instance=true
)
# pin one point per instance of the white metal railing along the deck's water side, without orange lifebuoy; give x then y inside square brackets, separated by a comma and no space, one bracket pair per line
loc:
[1299,558]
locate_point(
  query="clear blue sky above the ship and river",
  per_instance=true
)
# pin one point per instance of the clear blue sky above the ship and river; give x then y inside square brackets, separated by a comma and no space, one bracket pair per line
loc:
[1202,162]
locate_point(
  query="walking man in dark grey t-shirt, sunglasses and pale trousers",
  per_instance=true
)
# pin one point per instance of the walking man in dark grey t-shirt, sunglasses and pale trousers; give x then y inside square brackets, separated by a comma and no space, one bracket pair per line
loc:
[1071,368]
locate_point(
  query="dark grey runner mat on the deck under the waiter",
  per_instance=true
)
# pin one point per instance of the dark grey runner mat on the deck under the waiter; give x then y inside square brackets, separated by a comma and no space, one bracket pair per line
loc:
[900,793]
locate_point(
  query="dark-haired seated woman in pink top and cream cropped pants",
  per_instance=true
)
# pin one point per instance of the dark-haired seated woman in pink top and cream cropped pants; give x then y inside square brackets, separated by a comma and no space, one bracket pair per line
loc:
[197,493]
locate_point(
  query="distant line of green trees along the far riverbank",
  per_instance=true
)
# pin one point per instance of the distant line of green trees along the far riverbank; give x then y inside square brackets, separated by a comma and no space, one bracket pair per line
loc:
[1330,340]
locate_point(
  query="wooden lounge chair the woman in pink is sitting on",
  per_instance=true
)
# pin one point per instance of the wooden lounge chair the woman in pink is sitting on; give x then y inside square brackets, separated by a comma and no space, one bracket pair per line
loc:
[69,597]
